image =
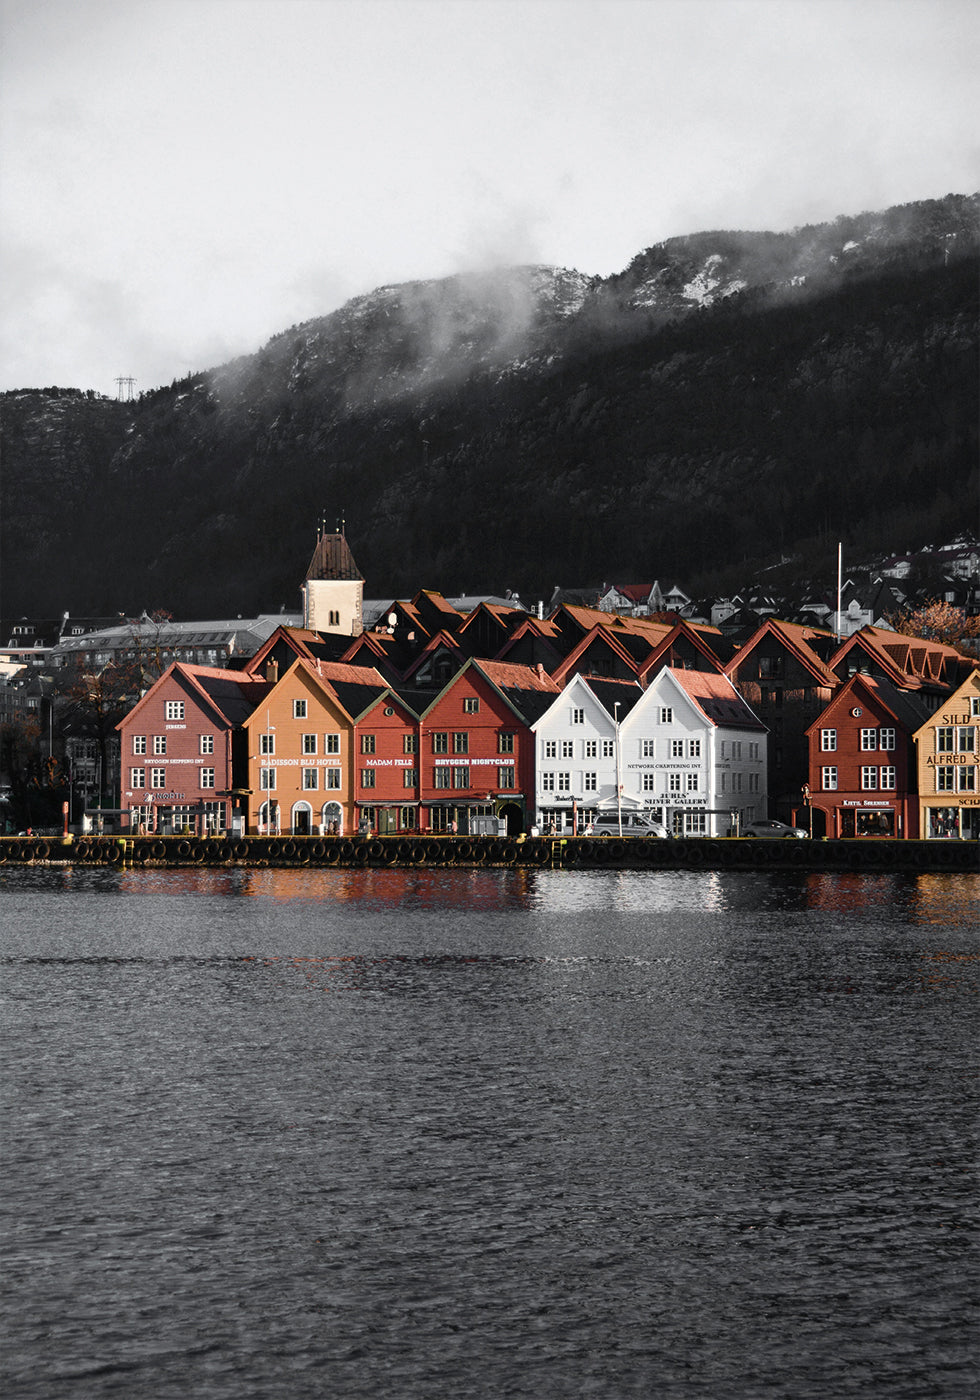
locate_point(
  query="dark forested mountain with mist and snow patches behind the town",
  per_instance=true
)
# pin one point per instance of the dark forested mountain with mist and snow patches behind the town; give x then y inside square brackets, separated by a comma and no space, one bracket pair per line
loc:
[727,400]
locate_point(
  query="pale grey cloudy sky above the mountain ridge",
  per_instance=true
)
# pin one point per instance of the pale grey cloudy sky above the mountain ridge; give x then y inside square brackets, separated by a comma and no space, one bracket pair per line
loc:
[183,180]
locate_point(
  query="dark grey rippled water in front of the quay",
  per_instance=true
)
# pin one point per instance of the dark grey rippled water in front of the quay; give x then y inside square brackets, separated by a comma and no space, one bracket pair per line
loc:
[481,1135]
